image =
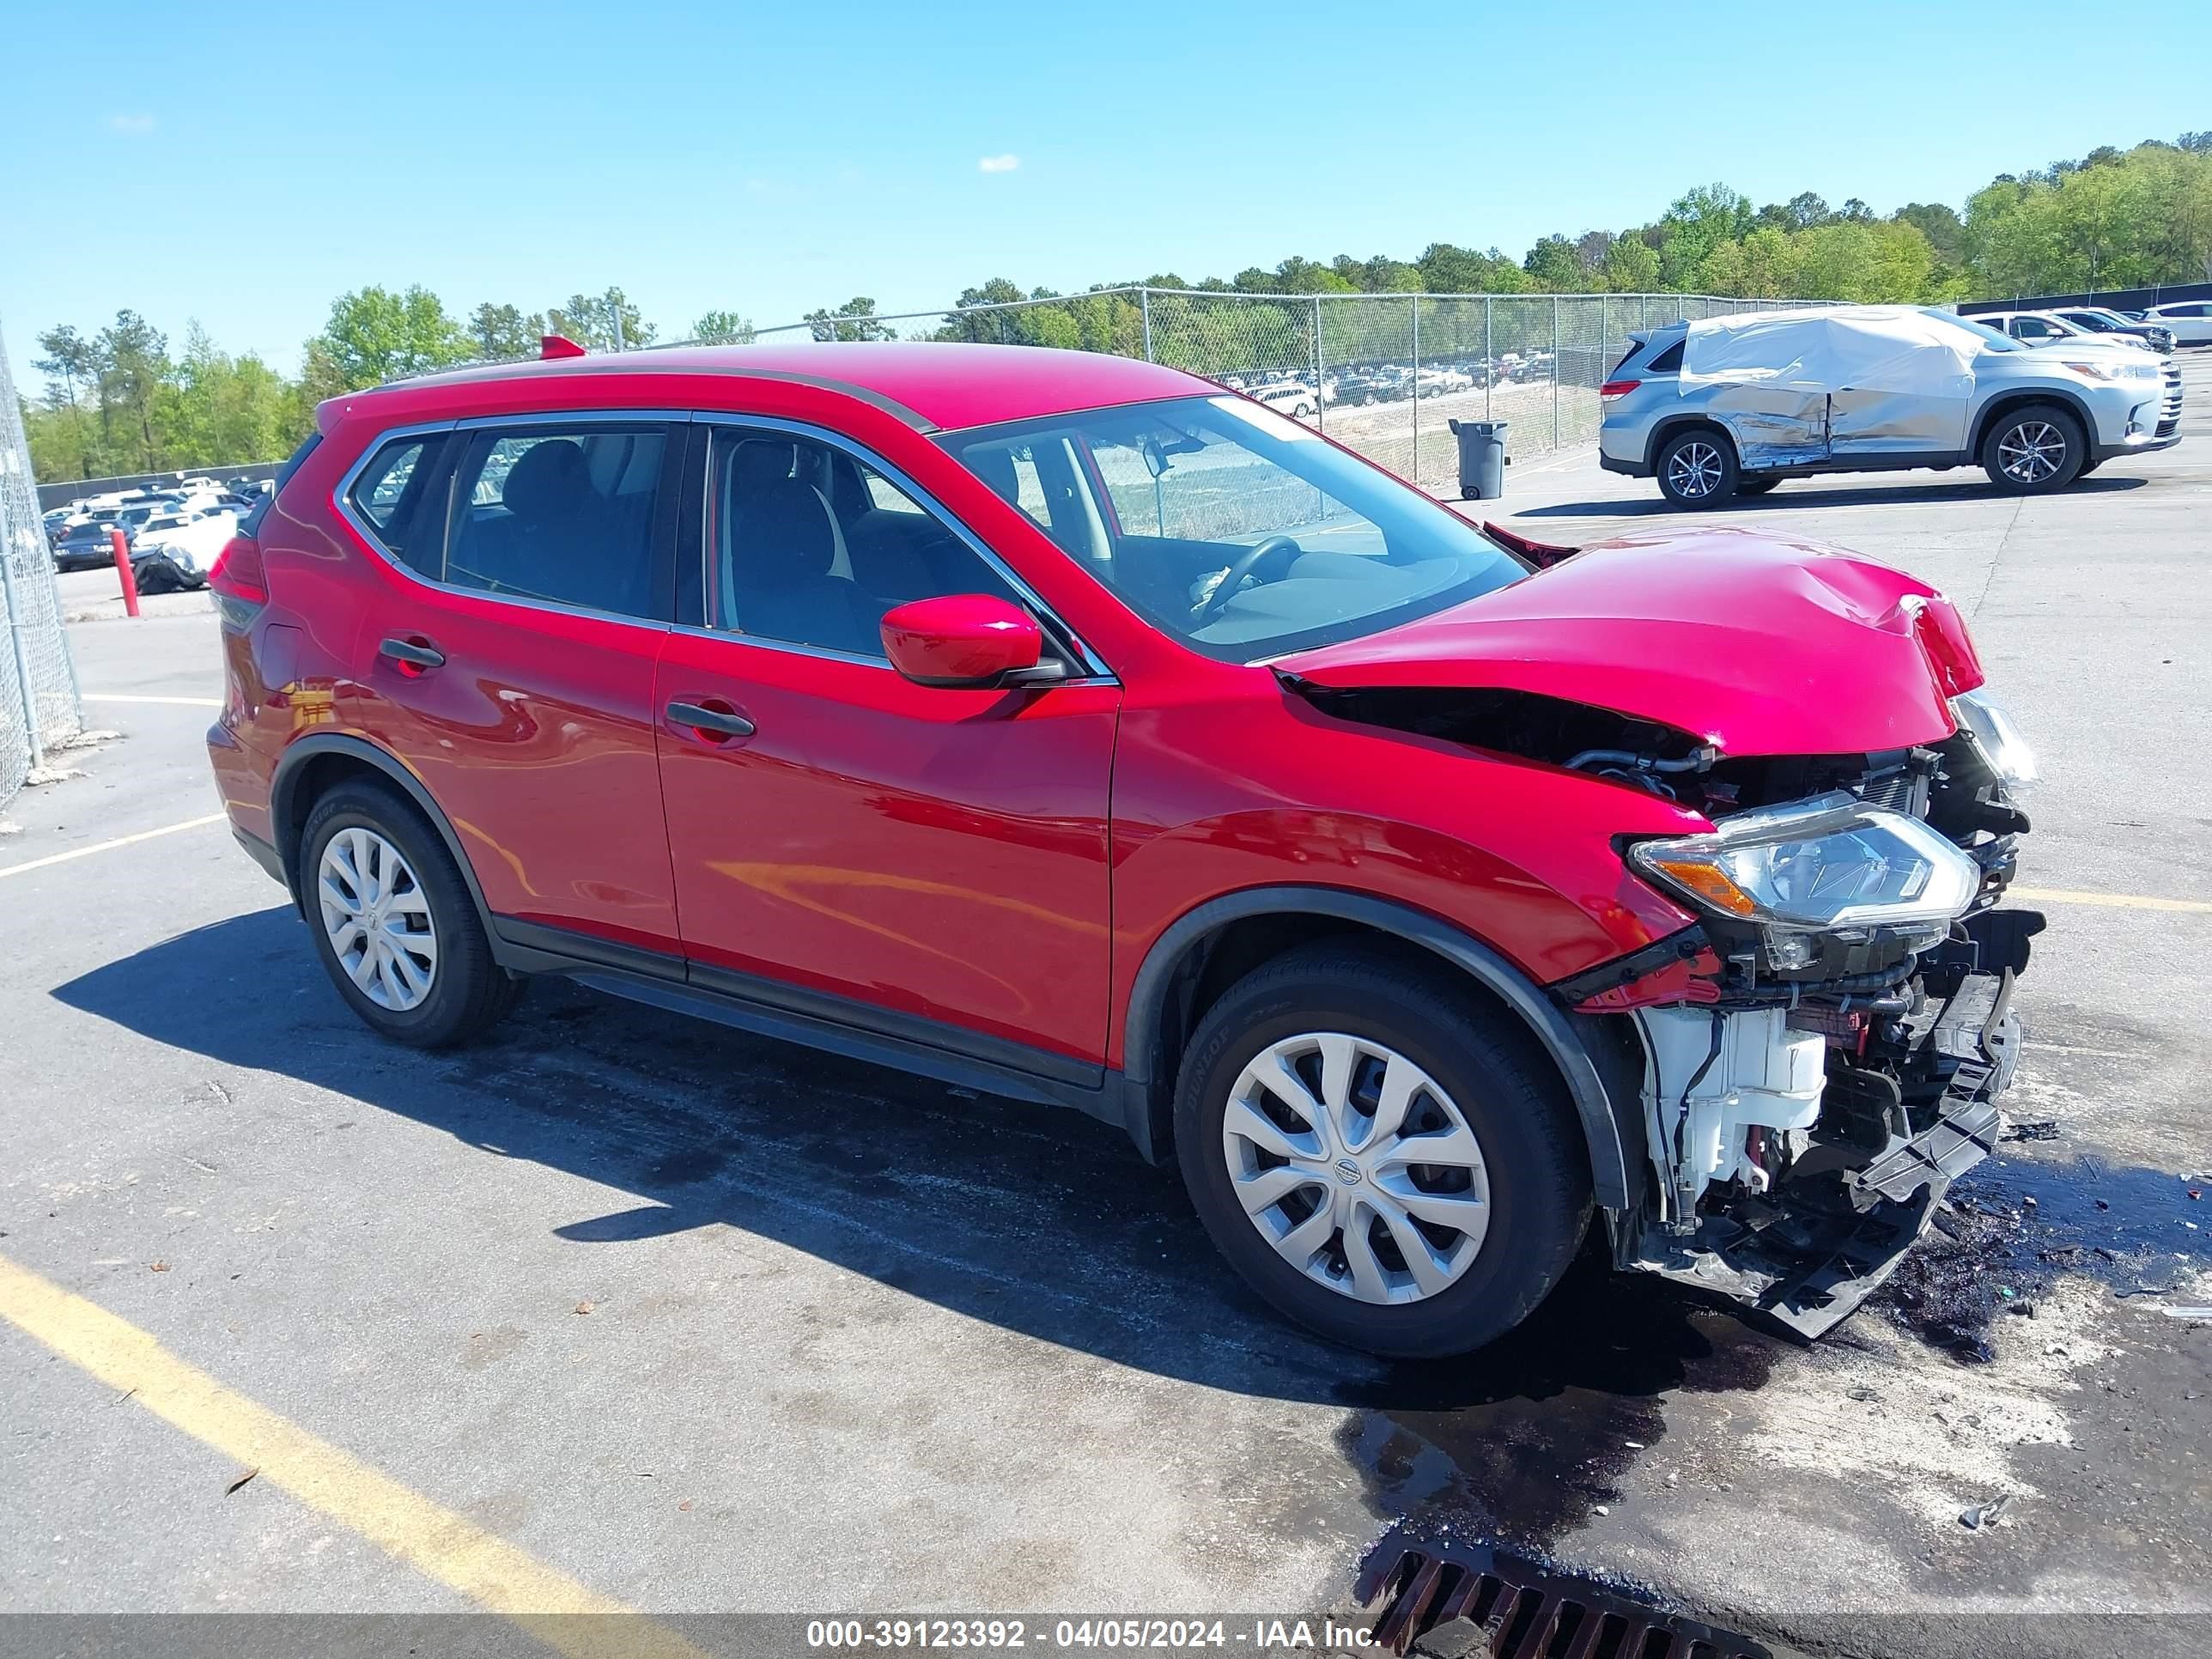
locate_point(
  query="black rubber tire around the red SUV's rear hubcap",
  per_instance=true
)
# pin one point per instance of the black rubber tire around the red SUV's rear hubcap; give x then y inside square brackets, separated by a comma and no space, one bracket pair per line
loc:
[468,992]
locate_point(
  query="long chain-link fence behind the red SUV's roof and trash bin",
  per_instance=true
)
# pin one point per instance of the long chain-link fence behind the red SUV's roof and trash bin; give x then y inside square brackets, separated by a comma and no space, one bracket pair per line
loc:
[1379,373]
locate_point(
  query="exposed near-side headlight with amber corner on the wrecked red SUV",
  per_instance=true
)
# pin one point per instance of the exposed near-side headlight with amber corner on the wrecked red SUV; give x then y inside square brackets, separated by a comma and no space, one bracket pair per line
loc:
[1817,868]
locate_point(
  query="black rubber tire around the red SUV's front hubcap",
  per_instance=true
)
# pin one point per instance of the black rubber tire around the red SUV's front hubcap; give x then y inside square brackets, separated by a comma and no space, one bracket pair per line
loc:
[1503,1087]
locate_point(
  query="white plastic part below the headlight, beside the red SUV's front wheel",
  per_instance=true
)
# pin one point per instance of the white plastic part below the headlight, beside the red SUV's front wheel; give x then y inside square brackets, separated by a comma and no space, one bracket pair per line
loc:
[1764,1076]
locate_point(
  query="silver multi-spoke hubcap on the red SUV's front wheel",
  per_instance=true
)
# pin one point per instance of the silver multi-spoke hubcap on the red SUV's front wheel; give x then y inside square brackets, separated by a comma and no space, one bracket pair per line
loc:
[1357,1169]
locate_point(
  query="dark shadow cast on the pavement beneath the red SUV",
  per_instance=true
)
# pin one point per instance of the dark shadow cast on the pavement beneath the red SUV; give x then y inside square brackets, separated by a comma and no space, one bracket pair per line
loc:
[1034,1220]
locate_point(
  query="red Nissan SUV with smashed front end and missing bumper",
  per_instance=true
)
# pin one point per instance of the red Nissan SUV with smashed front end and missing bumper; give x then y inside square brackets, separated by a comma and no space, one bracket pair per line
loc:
[1072,729]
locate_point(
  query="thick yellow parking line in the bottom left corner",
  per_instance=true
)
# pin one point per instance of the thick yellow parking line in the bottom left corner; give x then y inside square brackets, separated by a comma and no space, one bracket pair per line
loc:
[399,1521]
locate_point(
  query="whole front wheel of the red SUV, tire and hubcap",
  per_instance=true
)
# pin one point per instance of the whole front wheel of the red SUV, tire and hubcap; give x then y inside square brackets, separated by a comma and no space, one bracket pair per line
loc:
[1375,1158]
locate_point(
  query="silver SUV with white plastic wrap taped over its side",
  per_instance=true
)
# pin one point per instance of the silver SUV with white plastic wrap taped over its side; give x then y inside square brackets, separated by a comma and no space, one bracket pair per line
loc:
[1740,404]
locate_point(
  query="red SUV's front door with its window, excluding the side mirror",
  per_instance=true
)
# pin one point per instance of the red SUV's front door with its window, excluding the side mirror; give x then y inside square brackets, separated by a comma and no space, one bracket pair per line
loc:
[926,862]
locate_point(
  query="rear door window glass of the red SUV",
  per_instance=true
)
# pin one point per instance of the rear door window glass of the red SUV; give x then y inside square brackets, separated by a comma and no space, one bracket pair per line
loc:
[565,514]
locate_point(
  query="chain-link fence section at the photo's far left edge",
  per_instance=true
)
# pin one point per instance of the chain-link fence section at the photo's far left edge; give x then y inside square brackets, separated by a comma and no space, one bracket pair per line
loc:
[39,682]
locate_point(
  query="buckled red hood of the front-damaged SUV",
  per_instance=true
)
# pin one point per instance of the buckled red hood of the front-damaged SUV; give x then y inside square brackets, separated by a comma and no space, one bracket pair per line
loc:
[1749,640]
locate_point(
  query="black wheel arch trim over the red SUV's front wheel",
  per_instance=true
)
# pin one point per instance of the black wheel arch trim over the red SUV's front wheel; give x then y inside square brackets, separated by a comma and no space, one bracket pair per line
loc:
[1561,1034]
